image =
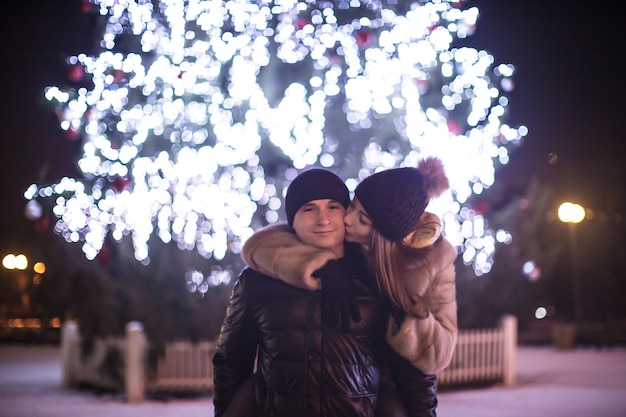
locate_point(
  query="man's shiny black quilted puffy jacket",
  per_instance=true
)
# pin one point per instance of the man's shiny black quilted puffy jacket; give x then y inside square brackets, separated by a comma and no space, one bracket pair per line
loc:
[304,368]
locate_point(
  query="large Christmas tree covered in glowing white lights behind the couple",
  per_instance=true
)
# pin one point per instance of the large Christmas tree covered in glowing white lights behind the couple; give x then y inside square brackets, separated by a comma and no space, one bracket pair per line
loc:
[195,115]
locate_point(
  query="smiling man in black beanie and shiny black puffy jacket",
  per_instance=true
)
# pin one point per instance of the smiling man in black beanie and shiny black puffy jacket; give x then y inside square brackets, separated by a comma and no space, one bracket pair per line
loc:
[306,366]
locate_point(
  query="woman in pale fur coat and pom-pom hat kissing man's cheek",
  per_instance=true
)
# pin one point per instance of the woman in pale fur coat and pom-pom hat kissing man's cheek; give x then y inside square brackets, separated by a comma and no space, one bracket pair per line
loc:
[413,263]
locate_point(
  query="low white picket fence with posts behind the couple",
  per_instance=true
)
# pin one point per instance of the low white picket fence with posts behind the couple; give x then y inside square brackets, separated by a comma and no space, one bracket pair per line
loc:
[481,355]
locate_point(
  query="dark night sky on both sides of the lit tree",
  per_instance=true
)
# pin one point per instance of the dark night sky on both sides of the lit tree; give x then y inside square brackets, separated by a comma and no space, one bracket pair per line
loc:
[569,93]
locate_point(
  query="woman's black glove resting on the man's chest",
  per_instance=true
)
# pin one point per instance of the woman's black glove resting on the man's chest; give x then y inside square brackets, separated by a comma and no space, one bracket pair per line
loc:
[338,302]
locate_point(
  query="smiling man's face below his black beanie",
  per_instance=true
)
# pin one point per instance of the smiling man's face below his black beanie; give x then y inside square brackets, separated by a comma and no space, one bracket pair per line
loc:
[320,223]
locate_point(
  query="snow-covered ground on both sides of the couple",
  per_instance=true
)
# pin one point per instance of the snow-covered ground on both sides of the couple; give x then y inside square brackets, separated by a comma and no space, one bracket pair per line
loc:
[582,382]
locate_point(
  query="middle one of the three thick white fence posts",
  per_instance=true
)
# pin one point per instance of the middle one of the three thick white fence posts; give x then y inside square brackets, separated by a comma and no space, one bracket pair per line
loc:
[135,362]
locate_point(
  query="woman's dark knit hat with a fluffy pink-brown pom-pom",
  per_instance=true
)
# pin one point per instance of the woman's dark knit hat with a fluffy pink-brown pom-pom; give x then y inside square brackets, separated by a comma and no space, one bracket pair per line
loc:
[395,199]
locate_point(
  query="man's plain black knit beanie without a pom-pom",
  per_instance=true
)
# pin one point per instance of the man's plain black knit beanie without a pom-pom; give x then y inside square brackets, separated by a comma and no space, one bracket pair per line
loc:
[314,184]
